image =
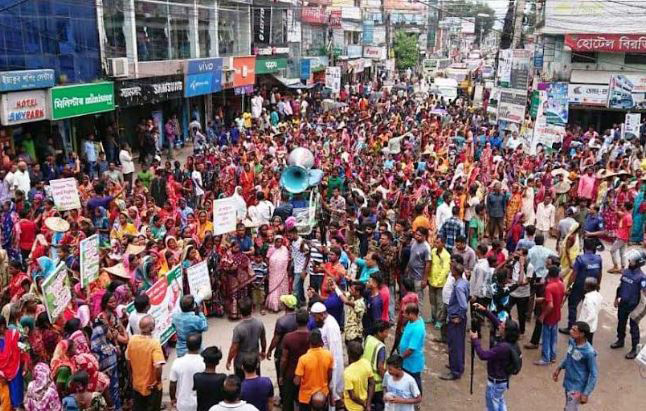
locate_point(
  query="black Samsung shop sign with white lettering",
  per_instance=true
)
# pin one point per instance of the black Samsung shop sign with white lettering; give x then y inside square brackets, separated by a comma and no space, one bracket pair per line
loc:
[149,90]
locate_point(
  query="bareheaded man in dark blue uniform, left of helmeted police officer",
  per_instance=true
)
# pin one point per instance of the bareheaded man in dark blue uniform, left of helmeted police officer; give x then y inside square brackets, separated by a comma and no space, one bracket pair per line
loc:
[586,265]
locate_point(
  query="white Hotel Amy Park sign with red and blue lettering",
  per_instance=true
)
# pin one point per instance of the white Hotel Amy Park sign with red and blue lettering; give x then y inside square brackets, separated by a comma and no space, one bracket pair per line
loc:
[23,107]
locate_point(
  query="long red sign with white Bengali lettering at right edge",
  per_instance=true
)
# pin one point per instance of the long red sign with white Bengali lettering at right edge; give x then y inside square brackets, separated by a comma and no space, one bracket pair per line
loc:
[612,43]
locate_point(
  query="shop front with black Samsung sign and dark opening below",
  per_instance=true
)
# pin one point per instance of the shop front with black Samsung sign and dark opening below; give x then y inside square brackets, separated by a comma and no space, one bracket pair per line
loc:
[154,97]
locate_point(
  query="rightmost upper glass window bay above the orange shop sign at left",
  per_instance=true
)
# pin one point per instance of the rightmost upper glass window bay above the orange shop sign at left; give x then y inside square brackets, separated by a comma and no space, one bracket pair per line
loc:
[233,29]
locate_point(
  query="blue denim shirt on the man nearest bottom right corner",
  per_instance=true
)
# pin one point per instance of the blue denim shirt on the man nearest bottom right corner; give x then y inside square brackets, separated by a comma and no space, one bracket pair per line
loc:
[580,365]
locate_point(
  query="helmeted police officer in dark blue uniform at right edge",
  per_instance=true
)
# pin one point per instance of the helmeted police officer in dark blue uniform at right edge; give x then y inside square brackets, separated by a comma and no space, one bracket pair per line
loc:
[631,285]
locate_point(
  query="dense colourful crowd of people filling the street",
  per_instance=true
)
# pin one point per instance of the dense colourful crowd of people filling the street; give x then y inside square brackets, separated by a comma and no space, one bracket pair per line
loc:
[418,197]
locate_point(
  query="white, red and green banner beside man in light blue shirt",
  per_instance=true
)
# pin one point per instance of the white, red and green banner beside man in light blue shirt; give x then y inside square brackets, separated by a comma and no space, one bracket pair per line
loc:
[165,296]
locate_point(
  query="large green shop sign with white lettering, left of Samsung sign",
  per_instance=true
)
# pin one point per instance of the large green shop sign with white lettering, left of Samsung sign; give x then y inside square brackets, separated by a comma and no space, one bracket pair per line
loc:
[82,99]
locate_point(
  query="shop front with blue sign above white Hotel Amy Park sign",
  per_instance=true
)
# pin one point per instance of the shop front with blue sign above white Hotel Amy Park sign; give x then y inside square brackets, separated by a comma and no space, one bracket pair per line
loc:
[24,111]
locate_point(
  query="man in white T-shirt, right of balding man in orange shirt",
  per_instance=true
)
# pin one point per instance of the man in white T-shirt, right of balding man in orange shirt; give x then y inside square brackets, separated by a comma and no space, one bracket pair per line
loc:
[182,396]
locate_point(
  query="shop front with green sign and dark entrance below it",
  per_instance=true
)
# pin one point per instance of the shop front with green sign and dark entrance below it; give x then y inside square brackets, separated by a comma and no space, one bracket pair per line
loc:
[80,110]
